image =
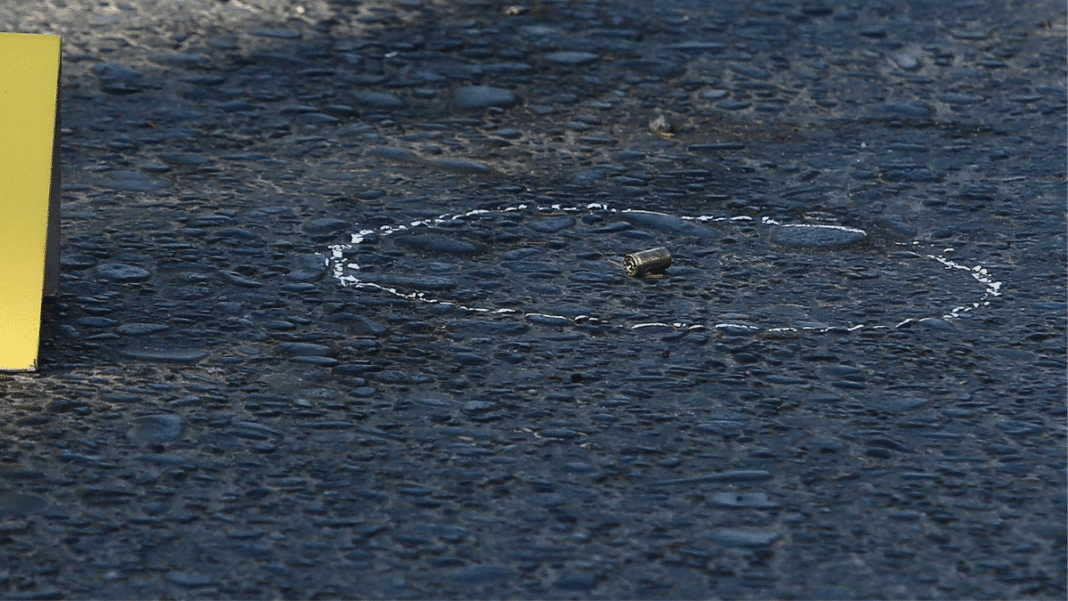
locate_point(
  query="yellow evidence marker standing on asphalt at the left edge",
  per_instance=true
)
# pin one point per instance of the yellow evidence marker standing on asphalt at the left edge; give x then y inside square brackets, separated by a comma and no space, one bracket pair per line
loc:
[29,192]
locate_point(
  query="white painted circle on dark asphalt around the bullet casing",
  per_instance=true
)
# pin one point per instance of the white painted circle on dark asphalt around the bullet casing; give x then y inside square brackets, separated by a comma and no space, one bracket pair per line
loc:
[810,241]
